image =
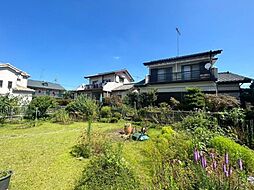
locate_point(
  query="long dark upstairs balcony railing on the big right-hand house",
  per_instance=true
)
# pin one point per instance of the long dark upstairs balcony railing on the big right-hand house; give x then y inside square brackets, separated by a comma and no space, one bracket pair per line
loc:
[182,76]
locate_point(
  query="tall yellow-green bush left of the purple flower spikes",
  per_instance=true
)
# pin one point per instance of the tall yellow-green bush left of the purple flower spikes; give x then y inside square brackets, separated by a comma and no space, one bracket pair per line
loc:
[168,157]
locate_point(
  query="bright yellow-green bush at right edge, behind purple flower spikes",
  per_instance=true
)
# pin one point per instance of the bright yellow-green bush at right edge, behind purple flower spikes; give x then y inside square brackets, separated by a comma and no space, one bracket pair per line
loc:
[235,151]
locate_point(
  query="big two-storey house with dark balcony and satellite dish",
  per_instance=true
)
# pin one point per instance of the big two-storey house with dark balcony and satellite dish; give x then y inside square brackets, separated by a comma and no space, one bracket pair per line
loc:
[171,77]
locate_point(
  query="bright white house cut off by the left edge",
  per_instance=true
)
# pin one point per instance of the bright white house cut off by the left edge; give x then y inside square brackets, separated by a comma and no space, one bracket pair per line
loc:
[13,81]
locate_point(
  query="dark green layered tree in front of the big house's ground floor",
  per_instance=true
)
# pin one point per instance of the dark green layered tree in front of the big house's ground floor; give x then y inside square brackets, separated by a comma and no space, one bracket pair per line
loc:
[194,99]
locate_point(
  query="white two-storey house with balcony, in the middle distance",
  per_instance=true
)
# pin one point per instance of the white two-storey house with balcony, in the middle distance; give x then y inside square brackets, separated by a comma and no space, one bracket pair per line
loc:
[102,84]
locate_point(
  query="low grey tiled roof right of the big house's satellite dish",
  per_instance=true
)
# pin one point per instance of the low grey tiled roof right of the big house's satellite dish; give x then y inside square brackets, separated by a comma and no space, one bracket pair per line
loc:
[226,77]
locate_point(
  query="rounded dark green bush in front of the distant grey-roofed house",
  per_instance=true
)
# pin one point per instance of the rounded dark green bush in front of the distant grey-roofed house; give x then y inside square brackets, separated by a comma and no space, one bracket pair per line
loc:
[39,106]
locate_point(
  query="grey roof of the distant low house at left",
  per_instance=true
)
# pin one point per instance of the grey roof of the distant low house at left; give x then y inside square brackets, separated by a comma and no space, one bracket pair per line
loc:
[44,84]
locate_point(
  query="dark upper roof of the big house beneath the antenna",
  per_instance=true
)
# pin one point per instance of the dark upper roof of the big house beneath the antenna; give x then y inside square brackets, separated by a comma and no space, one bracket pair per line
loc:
[178,58]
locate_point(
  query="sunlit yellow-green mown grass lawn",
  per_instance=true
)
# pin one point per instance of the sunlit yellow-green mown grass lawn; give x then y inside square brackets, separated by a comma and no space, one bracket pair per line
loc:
[40,157]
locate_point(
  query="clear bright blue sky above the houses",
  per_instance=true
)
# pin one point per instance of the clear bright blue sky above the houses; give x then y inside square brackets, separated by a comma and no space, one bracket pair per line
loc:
[64,40]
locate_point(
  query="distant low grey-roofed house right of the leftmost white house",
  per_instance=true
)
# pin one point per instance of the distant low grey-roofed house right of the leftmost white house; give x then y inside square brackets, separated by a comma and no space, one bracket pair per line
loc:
[43,88]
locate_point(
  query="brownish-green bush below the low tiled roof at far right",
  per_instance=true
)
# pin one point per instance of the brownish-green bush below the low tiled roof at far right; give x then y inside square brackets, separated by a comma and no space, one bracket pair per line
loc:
[217,103]
